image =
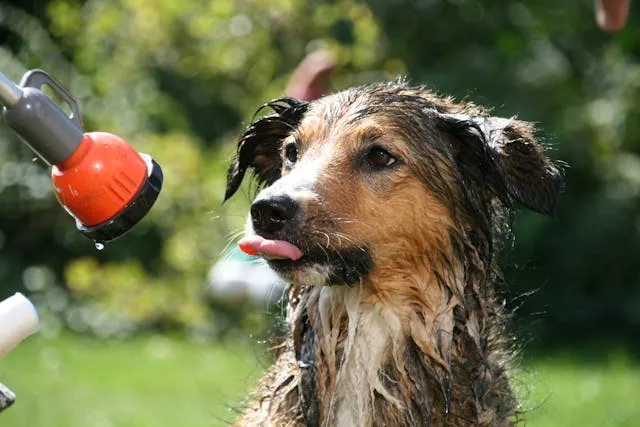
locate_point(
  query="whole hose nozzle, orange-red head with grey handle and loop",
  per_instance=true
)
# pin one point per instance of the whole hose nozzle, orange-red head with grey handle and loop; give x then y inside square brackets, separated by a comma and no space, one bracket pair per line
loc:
[98,178]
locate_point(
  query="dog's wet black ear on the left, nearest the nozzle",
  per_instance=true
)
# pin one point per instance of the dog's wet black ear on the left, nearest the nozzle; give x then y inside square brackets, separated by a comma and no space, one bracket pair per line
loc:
[259,145]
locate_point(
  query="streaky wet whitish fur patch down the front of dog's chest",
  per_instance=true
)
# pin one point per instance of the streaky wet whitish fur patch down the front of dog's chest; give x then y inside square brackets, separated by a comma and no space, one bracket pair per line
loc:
[351,342]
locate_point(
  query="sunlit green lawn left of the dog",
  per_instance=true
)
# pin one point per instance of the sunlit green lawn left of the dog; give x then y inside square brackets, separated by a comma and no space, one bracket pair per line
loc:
[77,382]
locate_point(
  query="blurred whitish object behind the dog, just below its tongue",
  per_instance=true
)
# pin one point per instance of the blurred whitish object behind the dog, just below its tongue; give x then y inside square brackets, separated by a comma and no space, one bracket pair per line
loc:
[237,276]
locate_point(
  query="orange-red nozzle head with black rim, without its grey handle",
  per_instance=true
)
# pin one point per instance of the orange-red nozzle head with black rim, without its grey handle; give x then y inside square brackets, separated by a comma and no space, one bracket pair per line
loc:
[106,185]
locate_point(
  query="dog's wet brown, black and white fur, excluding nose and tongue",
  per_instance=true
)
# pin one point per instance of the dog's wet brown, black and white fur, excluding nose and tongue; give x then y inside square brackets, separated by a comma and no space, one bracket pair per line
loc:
[402,198]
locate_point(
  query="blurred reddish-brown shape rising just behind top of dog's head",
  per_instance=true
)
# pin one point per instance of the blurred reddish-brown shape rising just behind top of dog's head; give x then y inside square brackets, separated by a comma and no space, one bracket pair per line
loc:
[311,79]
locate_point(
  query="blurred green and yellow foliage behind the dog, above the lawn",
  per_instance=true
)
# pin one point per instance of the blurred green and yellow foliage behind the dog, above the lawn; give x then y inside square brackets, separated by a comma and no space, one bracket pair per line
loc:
[178,80]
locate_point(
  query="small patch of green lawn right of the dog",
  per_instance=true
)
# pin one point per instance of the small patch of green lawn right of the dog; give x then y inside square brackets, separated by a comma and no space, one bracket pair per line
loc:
[573,390]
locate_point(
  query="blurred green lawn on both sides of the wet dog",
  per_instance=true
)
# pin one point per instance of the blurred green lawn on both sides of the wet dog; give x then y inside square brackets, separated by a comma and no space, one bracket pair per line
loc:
[76,382]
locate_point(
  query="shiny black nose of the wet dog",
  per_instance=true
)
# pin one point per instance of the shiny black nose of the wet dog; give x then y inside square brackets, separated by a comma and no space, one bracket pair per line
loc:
[272,214]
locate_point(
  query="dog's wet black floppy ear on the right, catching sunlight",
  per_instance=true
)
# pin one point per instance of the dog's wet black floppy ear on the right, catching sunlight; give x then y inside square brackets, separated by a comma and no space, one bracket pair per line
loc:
[506,156]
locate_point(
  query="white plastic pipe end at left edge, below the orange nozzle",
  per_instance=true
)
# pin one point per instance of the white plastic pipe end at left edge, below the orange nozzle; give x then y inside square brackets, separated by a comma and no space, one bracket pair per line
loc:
[18,320]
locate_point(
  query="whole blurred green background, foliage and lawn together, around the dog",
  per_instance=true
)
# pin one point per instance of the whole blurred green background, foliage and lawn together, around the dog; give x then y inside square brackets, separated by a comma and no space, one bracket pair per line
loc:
[133,335]
